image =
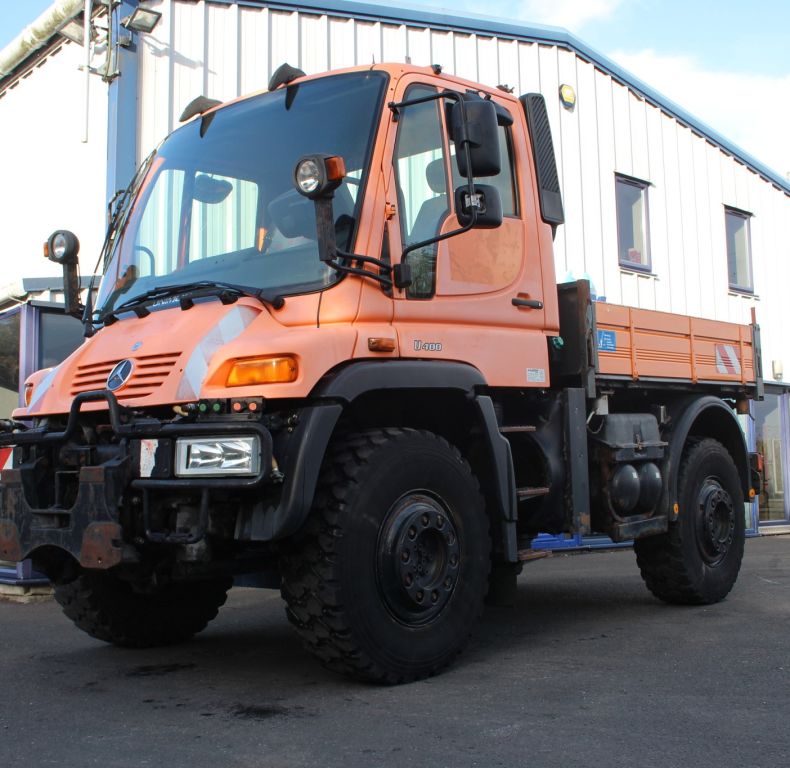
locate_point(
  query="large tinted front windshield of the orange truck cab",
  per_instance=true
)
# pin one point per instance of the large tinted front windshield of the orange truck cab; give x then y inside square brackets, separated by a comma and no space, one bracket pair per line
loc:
[218,203]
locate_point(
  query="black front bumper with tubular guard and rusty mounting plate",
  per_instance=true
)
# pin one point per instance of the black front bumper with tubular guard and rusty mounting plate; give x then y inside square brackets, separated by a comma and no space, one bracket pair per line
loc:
[87,524]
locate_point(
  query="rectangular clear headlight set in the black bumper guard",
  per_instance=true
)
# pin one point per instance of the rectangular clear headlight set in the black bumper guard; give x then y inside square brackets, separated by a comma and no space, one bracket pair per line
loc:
[210,456]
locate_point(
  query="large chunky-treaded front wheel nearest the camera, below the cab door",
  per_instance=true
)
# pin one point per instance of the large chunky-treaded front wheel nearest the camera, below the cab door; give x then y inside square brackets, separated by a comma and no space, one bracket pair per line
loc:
[346,583]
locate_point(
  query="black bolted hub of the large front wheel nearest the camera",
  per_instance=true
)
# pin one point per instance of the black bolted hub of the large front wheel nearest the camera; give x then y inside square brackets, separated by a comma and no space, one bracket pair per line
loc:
[418,558]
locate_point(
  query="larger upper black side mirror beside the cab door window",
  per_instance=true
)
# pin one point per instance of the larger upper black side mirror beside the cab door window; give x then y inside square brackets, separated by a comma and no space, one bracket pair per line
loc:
[479,132]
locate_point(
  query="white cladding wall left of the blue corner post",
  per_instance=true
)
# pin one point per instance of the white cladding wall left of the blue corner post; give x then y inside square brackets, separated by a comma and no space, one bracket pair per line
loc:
[50,179]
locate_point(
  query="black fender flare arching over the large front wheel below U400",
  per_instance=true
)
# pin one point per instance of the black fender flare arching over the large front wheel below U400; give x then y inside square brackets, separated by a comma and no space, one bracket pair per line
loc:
[341,387]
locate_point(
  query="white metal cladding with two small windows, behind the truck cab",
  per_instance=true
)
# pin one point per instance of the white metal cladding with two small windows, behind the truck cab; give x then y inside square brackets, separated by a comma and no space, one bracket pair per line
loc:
[224,50]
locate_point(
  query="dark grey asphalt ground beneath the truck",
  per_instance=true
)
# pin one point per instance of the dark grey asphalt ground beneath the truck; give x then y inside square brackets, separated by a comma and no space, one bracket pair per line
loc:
[587,670]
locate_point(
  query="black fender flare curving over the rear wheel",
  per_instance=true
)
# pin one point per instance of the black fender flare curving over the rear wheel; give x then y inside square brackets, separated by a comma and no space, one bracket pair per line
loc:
[707,416]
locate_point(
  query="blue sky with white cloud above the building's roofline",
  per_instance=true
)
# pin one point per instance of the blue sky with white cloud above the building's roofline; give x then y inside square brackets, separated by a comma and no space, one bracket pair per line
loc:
[724,61]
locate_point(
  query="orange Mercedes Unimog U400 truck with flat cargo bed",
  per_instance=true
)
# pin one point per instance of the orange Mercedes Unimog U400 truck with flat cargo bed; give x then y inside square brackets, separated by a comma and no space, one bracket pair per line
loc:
[328,347]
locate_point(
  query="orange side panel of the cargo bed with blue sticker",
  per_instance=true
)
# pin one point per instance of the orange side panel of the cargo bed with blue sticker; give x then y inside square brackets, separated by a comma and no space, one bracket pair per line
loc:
[642,343]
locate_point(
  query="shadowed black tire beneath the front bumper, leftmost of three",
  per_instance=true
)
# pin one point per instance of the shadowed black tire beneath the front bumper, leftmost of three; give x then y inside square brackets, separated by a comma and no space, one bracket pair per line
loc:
[109,609]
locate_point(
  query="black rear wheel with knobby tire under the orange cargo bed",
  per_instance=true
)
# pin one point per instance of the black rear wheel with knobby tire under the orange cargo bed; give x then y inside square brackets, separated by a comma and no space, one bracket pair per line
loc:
[697,561]
